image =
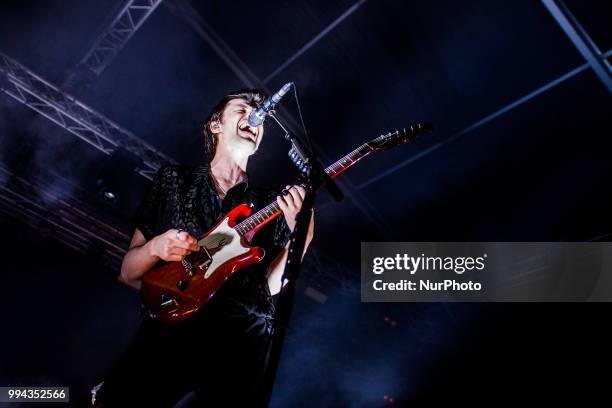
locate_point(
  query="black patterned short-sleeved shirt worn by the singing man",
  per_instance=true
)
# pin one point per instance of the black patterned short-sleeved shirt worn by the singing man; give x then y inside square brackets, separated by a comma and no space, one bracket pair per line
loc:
[185,198]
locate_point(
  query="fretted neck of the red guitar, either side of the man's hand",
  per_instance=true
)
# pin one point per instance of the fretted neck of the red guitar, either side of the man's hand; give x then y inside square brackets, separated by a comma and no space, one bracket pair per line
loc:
[272,210]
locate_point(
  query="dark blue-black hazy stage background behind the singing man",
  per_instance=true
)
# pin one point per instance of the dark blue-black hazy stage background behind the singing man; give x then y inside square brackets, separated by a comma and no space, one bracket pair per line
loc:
[511,159]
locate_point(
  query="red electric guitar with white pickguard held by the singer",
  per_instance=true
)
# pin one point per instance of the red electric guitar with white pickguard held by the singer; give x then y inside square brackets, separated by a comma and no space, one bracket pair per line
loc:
[174,291]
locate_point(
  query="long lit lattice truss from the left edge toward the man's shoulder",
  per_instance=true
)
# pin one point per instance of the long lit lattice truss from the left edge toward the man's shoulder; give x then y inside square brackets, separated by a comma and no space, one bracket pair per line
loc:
[45,98]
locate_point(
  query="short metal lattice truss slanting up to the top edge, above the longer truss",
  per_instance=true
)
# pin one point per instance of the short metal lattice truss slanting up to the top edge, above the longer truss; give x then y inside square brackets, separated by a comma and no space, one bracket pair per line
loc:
[129,19]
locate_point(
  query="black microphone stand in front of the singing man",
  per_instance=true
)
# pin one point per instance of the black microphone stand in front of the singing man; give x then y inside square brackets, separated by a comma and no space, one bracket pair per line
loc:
[315,177]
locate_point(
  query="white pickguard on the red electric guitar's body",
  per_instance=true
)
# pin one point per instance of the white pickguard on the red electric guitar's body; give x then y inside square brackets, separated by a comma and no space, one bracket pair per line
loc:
[223,243]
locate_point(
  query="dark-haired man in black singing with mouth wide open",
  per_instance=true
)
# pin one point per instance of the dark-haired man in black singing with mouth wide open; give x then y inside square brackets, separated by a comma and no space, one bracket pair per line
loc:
[219,352]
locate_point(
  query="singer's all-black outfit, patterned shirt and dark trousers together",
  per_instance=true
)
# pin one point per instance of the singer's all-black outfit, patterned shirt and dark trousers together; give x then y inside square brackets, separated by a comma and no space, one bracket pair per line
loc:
[220,351]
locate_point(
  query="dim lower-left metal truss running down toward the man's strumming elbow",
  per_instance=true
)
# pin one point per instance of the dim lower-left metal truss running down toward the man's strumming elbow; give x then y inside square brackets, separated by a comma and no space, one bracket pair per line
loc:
[44,207]
